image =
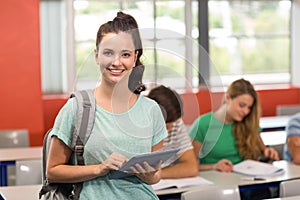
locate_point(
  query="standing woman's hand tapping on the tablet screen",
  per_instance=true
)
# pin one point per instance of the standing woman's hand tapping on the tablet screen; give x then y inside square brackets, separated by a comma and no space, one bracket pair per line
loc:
[113,162]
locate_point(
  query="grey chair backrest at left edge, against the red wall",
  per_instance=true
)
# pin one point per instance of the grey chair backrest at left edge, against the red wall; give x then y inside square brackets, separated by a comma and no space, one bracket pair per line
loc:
[14,138]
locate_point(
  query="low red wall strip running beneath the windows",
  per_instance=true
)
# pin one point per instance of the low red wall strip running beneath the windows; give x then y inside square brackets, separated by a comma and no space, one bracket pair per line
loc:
[203,101]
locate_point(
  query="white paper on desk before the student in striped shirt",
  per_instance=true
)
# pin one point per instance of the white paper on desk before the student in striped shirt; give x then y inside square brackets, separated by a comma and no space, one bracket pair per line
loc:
[181,183]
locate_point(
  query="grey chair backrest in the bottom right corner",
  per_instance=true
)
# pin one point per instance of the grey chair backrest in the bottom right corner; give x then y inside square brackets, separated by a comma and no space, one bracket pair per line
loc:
[289,188]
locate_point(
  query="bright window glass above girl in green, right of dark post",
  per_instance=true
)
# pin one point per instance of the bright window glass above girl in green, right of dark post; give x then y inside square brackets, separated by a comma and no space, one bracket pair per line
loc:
[250,38]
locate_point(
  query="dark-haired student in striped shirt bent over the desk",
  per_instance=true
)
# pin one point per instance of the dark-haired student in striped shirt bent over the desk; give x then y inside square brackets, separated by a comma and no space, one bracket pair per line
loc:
[172,108]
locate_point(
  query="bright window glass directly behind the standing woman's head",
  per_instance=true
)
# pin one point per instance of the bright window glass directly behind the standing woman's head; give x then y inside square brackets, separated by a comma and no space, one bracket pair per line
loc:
[162,31]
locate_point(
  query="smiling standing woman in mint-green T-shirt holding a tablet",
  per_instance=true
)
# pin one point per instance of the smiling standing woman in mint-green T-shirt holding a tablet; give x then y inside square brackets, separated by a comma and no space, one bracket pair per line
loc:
[126,123]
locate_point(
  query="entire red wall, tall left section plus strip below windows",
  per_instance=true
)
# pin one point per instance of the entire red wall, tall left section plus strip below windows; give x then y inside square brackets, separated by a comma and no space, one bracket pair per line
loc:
[22,104]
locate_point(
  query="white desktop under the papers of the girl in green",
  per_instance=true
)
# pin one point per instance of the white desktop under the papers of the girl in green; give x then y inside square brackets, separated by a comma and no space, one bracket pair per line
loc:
[292,171]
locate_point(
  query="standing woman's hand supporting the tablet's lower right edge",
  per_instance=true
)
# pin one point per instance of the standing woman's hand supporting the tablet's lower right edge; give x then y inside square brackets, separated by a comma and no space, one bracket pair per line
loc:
[147,173]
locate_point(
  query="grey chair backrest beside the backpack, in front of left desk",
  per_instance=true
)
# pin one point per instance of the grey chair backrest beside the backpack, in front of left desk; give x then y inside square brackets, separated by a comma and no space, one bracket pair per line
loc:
[28,172]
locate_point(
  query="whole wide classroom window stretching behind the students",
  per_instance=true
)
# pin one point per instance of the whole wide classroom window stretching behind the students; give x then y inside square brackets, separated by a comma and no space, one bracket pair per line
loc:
[245,38]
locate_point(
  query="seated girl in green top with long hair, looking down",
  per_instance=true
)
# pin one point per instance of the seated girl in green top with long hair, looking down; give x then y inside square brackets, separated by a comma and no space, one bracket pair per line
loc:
[231,134]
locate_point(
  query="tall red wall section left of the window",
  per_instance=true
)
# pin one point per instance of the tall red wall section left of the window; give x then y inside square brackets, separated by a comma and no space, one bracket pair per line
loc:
[21,104]
